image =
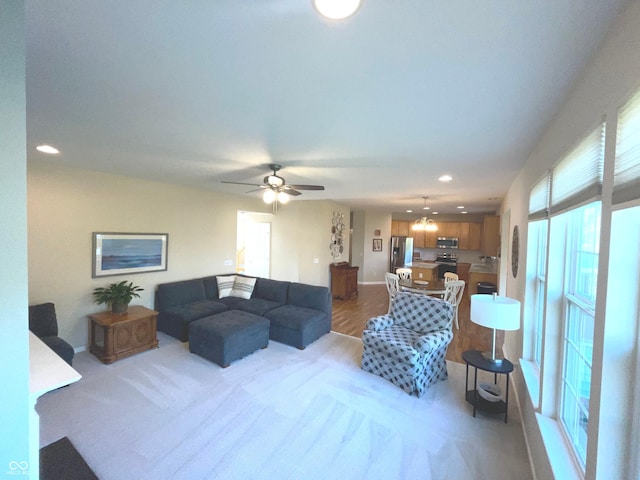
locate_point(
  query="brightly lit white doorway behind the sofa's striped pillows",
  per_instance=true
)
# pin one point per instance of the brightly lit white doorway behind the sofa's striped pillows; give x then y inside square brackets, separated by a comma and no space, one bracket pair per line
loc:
[253,250]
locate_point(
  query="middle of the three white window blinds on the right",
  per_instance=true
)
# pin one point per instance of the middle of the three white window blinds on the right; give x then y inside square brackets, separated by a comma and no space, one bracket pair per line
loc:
[578,176]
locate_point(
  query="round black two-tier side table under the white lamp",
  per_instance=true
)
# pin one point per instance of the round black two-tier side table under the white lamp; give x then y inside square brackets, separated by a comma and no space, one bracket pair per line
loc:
[476,360]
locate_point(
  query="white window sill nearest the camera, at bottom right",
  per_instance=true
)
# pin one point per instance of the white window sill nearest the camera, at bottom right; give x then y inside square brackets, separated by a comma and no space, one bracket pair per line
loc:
[559,454]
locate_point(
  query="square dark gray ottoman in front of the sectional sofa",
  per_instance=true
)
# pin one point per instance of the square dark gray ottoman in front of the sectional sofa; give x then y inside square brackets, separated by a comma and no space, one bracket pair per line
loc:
[228,336]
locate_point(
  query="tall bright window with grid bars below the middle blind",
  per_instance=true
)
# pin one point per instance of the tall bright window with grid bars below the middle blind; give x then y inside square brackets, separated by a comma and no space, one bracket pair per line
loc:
[581,271]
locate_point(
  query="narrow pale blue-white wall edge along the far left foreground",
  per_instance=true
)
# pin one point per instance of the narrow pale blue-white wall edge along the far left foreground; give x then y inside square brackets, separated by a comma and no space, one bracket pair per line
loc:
[14,341]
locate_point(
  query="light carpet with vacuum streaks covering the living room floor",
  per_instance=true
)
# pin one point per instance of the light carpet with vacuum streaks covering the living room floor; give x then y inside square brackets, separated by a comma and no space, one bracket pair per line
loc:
[280,413]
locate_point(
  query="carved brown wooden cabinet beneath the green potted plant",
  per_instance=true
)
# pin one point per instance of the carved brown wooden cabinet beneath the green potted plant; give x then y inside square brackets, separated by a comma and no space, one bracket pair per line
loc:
[113,336]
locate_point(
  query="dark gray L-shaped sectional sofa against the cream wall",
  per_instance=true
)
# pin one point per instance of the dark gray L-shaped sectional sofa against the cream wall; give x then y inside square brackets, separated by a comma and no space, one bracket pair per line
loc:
[298,313]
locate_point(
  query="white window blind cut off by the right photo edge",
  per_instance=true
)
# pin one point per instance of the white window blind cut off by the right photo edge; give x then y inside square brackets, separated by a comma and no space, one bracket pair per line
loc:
[626,176]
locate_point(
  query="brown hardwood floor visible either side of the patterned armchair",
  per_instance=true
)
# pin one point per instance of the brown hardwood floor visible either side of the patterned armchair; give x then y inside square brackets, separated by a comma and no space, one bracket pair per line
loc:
[350,316]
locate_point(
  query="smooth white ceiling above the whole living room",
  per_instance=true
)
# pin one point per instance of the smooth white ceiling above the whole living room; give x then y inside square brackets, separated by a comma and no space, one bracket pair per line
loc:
[375,108]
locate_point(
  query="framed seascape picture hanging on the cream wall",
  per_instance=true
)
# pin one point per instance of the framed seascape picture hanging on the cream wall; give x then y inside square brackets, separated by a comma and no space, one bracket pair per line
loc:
[128,253]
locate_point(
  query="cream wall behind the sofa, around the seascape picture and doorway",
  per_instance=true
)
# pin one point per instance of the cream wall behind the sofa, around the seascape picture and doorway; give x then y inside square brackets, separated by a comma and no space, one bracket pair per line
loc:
[66,205]
